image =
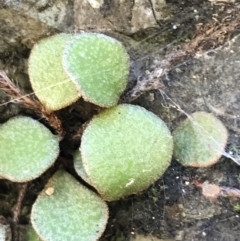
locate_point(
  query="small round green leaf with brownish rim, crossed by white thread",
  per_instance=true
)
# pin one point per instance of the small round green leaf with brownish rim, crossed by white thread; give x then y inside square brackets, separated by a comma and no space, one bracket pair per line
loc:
[199,141]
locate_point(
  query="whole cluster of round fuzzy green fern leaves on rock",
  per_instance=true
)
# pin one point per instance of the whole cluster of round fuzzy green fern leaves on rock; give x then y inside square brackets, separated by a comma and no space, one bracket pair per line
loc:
[123,150]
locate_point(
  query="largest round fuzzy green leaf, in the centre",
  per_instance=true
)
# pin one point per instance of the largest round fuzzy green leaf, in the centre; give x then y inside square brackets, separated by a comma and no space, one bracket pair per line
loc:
[124,150]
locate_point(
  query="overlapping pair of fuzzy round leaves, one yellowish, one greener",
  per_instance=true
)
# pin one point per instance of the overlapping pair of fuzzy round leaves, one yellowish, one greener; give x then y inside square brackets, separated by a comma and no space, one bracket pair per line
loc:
[64,67]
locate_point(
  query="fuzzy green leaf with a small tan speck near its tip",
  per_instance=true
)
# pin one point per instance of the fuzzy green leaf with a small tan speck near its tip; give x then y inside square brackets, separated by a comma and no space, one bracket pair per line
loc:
[71,213]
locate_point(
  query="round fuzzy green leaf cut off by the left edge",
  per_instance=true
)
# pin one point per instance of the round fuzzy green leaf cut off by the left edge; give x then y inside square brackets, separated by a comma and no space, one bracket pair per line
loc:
[27,149]
